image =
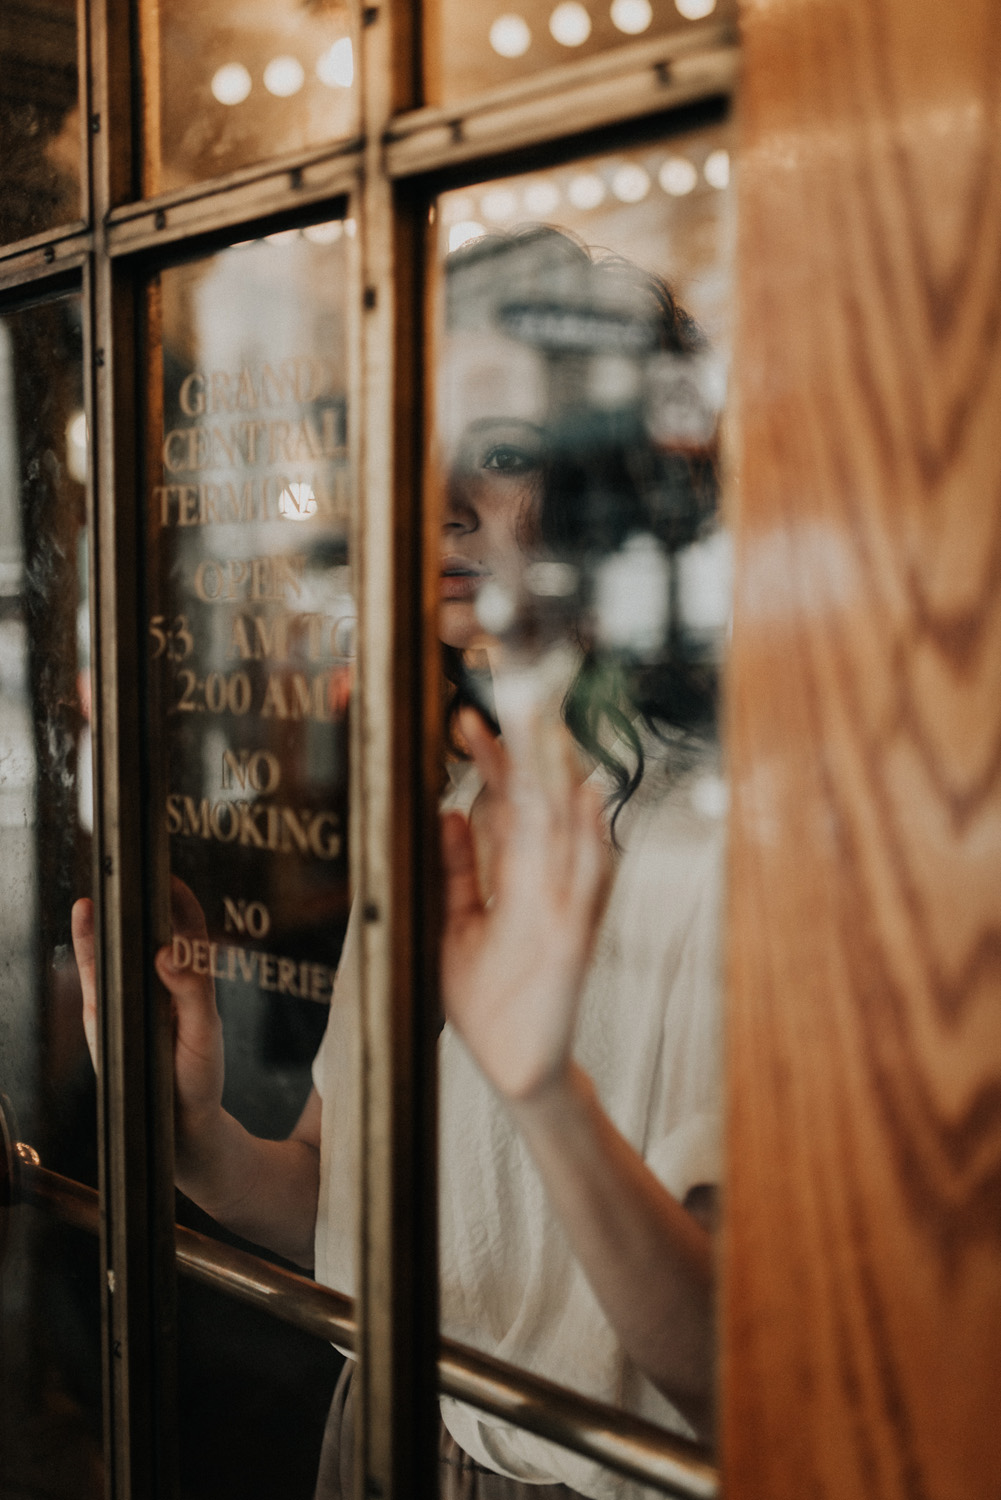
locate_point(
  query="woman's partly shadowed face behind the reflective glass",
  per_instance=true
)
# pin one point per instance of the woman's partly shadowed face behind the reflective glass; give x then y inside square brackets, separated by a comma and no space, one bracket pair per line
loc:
[490,521]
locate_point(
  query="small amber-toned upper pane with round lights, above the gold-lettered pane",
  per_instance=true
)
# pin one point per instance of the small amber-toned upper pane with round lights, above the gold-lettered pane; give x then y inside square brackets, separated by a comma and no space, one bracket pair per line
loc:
[236,85]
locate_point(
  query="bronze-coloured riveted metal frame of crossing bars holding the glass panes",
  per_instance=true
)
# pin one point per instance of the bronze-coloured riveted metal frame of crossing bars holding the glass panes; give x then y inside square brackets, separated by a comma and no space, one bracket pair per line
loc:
[392,172]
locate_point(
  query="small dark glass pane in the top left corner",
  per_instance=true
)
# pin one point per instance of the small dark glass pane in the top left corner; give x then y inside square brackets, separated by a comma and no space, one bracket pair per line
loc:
[41,145]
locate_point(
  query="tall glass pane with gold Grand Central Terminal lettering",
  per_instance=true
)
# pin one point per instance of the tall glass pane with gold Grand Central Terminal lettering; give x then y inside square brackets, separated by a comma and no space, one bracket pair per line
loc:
[251,644]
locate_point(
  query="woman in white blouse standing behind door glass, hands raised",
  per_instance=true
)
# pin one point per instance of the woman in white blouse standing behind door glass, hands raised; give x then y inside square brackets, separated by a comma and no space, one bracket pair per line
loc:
[579,964]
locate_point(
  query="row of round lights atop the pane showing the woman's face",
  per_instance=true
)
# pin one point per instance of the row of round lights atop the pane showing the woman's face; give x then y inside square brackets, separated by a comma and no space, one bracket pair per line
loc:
[630,184]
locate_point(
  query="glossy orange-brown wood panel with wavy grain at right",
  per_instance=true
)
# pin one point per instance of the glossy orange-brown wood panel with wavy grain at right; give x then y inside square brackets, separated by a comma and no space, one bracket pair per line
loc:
[862,1306]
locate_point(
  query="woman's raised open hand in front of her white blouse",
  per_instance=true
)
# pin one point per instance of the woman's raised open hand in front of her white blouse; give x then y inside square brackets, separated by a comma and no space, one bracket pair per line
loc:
[514,959]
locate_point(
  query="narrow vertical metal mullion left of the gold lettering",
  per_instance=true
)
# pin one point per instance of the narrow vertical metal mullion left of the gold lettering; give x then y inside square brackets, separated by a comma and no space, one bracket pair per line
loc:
[136,1138]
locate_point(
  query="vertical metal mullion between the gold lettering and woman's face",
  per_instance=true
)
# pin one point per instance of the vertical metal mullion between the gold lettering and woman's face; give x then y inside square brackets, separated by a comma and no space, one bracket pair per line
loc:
[398,1262]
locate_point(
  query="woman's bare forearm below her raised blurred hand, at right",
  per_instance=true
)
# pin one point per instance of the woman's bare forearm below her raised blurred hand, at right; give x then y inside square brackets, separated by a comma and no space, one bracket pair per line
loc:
[648,1259]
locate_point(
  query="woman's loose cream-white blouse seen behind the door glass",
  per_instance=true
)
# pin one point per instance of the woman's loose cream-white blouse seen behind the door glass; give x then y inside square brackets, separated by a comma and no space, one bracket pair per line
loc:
[649,1036]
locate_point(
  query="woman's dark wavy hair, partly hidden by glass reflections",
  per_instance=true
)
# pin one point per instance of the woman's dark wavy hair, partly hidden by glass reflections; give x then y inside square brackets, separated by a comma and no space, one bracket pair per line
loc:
[604,479]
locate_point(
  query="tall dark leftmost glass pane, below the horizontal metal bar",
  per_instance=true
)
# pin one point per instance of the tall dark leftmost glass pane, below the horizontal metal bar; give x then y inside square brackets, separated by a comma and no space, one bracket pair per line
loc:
[50,1321]
